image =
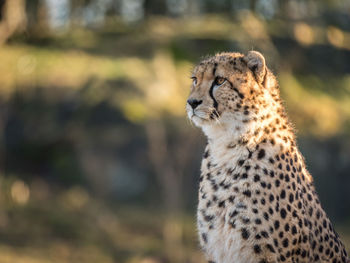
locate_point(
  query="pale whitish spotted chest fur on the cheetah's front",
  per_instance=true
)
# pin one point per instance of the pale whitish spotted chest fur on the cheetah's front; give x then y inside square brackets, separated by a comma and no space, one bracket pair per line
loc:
[220,197]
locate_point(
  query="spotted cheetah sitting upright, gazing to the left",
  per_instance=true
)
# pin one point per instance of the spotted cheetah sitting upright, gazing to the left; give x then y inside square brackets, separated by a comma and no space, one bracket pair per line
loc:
[257,201]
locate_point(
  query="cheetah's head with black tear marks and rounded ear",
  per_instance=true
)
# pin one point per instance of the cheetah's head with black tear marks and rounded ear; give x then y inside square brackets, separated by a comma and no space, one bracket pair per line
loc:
[229,90]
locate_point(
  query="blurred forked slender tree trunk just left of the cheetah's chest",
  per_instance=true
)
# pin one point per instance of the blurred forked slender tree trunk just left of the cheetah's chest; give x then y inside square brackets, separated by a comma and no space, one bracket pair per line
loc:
[169,160]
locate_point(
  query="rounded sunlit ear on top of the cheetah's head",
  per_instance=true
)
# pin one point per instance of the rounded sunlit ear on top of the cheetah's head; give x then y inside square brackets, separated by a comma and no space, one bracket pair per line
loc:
[256,63]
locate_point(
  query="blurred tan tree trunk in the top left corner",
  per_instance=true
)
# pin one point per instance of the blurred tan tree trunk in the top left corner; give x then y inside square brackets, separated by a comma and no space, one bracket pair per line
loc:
[13,19]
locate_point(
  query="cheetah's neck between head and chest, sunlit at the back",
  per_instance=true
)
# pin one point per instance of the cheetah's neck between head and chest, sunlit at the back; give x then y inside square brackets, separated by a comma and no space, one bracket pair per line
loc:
[270,125]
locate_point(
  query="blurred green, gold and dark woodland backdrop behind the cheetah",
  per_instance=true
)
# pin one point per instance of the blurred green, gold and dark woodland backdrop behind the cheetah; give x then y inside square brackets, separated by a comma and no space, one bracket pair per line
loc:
[98,162]
